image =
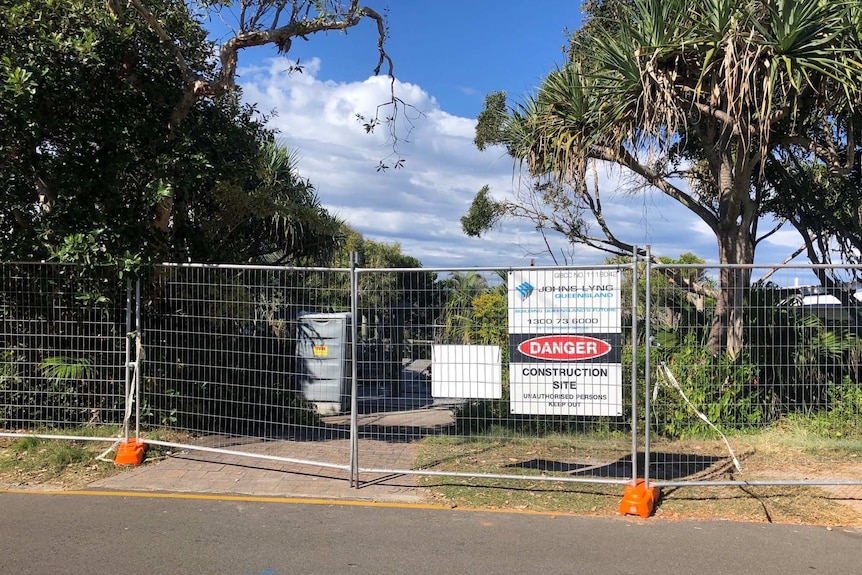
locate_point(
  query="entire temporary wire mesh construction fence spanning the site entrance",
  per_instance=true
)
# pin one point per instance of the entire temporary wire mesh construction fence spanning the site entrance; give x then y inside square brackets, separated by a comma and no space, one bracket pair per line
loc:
[632,374]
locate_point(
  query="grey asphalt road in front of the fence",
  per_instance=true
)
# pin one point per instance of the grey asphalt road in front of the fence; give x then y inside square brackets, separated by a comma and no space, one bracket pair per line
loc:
[100,534]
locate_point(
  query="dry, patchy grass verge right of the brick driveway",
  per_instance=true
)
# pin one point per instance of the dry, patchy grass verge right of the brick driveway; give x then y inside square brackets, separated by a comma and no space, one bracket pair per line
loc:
[776,454]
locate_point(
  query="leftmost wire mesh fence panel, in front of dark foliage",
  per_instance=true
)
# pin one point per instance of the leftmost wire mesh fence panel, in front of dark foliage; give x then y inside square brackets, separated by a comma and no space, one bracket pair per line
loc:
[62,346]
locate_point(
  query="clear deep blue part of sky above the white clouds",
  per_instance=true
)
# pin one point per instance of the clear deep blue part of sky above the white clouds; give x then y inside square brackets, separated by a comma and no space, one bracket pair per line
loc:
[458,51]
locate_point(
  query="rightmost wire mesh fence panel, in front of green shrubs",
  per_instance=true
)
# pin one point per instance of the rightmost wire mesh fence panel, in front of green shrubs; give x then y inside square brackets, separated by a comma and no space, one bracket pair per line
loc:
[755,374]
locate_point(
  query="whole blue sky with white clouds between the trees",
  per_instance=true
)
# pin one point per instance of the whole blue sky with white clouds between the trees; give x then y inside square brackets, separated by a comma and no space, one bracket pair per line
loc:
[448,55]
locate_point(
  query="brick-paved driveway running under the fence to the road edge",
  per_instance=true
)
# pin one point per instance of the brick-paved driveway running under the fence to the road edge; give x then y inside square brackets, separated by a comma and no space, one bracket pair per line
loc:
[194,471]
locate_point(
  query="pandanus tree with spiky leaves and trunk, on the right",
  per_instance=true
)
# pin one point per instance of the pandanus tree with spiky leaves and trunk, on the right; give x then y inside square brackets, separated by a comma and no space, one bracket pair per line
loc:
[736,98]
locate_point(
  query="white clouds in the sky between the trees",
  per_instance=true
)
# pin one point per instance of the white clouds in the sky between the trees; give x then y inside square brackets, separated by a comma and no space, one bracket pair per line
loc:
[420,206]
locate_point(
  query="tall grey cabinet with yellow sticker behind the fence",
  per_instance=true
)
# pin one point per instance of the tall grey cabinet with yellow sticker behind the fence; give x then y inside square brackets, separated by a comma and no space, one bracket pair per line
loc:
[324,352]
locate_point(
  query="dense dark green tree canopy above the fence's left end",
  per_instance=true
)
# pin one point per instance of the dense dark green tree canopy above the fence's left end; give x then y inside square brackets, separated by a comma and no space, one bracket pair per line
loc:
[123,140]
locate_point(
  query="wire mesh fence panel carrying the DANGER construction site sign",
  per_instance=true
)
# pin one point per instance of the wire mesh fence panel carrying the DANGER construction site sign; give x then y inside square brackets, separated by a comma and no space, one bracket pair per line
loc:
[518,374]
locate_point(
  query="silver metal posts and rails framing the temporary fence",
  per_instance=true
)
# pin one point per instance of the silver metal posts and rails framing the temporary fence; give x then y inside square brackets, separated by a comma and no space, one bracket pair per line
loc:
[138,345]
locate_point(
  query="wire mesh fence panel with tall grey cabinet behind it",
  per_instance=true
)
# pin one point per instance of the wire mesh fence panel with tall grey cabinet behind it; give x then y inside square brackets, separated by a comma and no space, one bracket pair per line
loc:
[235,360]
